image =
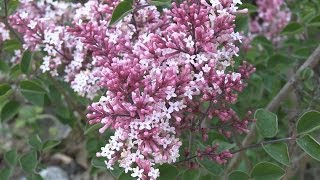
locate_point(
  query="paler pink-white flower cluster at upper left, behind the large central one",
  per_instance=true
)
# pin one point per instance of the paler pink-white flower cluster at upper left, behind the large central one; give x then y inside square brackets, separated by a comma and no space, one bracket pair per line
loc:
[43,27]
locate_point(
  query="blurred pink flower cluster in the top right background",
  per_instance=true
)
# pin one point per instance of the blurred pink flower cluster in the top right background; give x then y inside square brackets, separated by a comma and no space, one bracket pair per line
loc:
[272,17]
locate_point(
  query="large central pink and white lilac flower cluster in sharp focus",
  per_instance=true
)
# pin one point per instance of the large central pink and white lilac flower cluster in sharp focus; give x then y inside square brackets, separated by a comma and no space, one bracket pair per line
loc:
[159,69]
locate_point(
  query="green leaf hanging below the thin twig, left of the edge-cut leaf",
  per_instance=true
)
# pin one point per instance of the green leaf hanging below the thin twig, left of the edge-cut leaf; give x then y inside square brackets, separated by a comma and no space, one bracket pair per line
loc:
[279,152]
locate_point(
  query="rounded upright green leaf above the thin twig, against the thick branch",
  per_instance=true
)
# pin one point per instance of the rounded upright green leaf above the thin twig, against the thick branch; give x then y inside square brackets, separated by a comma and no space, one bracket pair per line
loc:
[267,123]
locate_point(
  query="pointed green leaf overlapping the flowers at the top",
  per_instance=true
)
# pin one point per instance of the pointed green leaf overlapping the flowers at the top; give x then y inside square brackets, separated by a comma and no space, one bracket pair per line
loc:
[122,10]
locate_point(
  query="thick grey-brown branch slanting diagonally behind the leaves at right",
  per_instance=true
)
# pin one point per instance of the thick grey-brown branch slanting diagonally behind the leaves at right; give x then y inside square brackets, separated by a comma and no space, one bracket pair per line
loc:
[311,62]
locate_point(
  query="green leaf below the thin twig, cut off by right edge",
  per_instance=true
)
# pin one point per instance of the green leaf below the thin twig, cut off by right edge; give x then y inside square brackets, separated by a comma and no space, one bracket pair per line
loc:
[310,146]
